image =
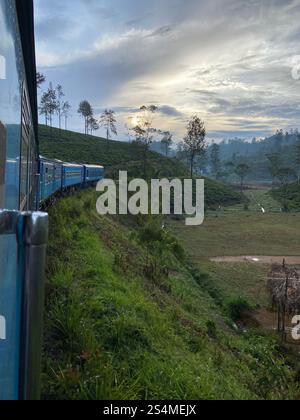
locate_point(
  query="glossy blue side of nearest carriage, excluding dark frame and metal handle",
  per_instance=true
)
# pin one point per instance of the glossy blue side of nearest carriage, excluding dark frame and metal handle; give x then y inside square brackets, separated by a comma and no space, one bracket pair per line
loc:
[12,87]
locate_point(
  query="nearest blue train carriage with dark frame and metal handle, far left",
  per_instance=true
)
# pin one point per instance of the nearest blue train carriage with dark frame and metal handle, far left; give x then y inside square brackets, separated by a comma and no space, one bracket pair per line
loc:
[23,232]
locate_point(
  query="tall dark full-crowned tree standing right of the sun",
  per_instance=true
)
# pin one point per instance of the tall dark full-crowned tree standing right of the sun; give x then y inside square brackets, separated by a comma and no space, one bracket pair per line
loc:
[195,140]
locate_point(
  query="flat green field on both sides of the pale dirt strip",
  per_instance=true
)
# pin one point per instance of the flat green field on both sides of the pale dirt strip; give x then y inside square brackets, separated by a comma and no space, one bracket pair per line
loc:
[234,232]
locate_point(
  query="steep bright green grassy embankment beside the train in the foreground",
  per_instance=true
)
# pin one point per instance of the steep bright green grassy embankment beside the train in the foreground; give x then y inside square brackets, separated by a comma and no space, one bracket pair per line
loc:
[128,318]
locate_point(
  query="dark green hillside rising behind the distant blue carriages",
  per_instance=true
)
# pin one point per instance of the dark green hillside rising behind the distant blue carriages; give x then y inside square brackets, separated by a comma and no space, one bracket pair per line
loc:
[114,155]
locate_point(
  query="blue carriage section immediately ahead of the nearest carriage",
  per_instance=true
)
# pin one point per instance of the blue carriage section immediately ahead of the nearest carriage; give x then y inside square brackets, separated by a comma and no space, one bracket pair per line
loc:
[50,174]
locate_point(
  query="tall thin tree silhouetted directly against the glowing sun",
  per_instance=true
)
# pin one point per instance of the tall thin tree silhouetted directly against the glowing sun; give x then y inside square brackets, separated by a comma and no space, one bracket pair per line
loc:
[144,131]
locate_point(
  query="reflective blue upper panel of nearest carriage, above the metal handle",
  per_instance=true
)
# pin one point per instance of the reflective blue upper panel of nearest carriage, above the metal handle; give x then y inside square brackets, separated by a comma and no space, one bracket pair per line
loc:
[11,80]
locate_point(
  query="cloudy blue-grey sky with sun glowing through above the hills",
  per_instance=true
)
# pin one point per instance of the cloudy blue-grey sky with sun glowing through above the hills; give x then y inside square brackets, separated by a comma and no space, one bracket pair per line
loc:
[233,62]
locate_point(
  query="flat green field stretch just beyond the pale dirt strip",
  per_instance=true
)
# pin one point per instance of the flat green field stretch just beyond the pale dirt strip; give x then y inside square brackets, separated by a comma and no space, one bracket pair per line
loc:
[238,233]
